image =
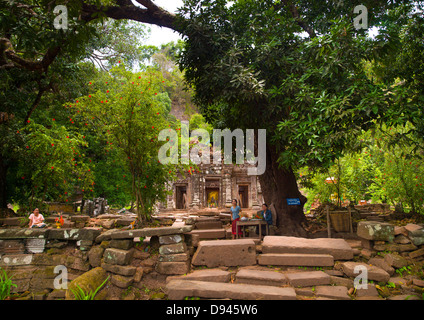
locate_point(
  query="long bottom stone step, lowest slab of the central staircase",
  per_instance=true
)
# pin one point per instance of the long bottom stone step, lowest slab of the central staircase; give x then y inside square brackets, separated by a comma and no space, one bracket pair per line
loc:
[179,289]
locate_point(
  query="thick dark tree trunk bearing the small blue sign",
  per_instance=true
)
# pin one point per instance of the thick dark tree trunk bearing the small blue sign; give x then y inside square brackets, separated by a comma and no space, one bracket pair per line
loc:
[277,185]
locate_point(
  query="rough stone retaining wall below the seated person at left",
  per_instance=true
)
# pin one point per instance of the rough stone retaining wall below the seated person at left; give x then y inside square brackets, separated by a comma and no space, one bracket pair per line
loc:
[30,256]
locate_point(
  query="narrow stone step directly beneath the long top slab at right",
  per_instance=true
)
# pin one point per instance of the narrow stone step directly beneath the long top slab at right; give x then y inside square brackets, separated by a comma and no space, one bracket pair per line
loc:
[296,259]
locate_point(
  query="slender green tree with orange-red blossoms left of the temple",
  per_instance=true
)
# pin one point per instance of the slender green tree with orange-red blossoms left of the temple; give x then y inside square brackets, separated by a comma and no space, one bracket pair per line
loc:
[128,112]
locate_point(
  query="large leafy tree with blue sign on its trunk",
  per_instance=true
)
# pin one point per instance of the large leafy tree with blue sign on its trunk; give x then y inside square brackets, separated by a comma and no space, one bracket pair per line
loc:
[295,68]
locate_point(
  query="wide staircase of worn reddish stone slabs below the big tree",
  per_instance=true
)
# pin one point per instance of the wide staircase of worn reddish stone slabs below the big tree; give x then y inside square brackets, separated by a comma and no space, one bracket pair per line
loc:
[276,273]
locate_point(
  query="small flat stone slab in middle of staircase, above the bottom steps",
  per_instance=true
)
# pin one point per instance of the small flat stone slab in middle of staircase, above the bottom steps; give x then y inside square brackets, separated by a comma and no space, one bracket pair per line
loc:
[261,277]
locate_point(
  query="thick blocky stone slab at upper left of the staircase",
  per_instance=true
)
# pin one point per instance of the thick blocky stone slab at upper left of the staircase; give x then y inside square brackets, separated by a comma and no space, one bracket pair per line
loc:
[214,253]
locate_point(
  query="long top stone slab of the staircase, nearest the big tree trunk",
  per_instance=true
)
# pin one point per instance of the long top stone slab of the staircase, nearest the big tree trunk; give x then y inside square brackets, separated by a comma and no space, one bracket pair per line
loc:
[338,248]
